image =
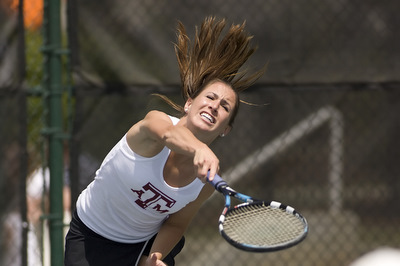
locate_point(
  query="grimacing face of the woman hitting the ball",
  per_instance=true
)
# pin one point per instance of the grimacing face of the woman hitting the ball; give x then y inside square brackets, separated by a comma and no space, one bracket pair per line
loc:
[208,115]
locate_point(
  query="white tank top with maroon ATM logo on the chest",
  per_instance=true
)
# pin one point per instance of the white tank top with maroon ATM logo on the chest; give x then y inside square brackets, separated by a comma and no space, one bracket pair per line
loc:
[129,199]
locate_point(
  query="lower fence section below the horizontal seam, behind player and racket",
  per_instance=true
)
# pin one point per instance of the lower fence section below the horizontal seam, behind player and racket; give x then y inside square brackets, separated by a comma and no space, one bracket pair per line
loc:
[329,151]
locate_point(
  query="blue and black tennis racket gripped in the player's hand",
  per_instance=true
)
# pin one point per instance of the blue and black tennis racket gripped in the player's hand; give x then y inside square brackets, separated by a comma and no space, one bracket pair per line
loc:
[256,225]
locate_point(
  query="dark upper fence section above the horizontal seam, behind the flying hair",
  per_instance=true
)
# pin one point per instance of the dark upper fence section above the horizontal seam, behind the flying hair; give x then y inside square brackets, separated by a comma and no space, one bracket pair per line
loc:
[128,43]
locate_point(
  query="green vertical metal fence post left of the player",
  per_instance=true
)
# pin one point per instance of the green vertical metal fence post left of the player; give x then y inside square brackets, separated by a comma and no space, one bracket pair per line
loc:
[53,93]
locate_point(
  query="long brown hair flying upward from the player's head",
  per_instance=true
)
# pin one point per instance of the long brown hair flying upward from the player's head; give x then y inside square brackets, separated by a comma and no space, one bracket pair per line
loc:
[213,56]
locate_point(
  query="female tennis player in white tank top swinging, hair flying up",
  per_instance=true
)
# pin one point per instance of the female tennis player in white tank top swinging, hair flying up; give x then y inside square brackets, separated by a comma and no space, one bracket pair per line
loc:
[153,182]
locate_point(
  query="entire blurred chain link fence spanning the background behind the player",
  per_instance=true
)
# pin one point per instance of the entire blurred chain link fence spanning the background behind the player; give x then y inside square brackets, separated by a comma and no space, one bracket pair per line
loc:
[326,142]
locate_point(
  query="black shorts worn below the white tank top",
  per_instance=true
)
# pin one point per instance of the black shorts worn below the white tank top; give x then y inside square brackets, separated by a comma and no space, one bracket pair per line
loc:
[84,247]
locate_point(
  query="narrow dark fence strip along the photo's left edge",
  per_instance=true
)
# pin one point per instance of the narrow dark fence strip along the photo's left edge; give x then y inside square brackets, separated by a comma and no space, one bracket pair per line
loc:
[12,138]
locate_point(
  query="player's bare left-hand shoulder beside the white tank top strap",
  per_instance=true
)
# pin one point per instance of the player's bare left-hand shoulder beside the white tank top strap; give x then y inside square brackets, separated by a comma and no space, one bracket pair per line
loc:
[145,137]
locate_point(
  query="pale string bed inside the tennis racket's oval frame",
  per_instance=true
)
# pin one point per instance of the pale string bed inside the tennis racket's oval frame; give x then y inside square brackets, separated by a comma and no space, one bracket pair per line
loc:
[262,225]
